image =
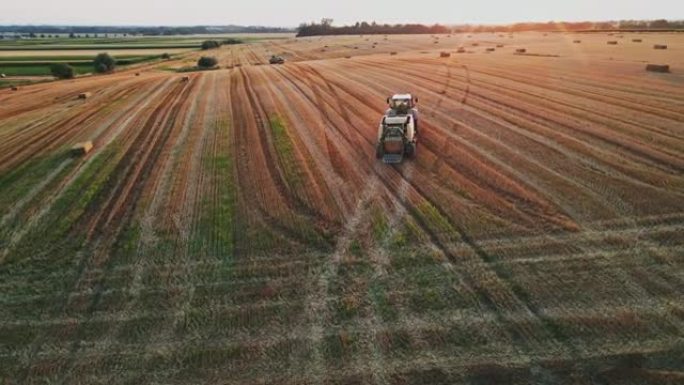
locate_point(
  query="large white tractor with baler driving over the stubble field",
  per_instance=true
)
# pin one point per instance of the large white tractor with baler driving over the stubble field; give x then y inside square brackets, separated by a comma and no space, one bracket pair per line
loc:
[398,130]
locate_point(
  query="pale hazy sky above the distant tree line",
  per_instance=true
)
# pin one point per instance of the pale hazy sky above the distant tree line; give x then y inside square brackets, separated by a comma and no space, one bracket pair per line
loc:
[292,12]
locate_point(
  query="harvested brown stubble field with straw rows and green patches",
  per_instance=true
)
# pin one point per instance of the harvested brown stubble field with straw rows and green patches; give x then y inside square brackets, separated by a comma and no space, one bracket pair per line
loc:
[237,229]
